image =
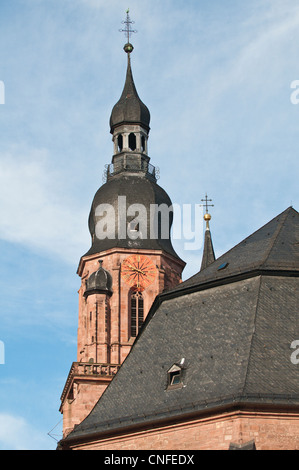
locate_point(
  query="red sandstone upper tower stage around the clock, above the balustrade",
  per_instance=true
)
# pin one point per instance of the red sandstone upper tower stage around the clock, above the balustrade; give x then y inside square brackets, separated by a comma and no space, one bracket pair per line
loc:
[169,275]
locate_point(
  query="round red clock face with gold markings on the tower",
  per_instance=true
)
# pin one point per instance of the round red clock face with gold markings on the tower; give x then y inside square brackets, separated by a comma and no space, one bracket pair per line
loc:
[138,271]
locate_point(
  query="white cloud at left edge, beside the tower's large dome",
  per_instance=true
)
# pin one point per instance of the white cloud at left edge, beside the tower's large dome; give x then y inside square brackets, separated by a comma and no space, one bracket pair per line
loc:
[36,210]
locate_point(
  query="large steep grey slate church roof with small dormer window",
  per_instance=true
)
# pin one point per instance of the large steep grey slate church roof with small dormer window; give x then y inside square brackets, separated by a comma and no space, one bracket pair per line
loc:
[235,338]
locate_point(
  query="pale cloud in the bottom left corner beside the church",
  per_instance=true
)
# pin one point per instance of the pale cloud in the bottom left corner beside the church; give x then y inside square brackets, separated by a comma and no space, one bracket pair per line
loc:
[17,434]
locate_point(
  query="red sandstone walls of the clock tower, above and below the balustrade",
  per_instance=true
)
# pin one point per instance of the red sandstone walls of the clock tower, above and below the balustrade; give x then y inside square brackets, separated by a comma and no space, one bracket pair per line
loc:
[109,342]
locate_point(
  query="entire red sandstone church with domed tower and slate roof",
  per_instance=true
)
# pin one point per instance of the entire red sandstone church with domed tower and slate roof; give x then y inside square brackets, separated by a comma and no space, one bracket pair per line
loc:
[208,363]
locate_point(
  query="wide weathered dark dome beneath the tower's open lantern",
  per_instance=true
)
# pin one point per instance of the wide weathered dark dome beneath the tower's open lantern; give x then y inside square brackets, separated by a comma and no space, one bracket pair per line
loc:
[134,190]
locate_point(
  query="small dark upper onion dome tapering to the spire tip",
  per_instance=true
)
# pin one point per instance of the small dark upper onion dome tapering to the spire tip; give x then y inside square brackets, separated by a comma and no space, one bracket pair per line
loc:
[129,109]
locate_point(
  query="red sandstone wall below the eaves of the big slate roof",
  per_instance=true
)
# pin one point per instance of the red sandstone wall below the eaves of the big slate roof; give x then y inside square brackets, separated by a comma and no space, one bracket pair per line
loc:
[270,431]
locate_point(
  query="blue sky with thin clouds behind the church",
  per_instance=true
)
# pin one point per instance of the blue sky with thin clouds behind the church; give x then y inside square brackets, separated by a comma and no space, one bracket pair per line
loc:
[216,76]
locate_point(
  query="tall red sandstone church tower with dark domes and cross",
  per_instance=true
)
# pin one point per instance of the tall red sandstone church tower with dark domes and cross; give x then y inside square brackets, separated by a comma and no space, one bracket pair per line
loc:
[131,259]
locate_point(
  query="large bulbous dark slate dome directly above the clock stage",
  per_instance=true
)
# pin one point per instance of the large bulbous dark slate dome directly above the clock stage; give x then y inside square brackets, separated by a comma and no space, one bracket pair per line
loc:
[137,190]
